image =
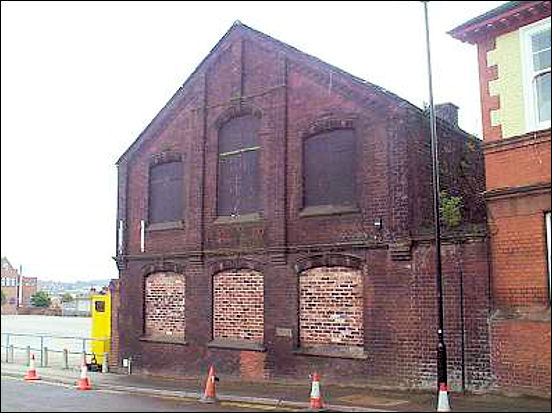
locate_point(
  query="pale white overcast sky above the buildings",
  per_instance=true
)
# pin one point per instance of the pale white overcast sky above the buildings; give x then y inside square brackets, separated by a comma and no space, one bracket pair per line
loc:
[80,81]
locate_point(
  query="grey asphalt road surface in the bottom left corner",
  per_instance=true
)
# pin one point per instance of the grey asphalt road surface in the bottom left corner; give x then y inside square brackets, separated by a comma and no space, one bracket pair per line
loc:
[20,396]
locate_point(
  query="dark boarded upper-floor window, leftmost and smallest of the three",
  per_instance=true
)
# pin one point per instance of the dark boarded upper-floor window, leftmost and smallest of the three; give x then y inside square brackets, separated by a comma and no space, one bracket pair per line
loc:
[166,198]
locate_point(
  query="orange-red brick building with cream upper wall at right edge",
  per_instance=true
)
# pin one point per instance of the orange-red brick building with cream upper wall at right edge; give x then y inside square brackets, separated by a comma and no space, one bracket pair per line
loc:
[513,43]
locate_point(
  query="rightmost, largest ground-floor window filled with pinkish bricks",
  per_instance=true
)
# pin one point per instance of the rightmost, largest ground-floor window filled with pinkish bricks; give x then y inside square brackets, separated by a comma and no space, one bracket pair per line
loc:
[331,307]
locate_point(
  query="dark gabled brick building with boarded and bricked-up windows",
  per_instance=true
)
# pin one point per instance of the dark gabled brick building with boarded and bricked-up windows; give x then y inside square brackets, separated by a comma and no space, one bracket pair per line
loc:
[275,218]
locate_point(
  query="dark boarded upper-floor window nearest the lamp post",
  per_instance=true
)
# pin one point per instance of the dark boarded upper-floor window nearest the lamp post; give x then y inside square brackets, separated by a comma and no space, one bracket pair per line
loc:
[329,169]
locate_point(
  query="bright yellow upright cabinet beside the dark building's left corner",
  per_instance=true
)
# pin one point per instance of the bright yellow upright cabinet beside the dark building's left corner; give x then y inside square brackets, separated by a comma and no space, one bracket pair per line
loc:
[101,325]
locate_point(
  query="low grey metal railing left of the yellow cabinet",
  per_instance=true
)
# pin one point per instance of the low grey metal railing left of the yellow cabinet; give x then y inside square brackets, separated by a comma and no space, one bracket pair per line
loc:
[67,351]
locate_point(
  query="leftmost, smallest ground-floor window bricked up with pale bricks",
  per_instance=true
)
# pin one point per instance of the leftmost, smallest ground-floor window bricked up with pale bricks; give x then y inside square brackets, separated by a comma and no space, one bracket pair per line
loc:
[165,305]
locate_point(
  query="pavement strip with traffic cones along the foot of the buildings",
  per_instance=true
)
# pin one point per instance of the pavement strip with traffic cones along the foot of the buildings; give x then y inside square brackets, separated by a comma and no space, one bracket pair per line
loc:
[287,395]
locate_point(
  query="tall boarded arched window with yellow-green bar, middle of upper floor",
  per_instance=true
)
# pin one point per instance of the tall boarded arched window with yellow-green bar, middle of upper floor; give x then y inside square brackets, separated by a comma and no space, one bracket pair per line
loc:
[239,167]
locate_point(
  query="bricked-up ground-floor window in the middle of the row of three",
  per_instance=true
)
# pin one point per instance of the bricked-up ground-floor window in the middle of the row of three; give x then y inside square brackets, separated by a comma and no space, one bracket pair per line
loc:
[238,305]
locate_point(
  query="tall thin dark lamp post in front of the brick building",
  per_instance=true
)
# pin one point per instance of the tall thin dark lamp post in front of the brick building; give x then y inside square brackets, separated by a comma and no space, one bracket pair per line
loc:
[441,349]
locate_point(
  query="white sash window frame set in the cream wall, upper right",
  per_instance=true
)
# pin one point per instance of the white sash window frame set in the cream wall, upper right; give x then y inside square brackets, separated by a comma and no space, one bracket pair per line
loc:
[529,93]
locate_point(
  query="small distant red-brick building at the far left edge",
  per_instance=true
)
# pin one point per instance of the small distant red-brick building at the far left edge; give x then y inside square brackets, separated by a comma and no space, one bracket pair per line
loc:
[17,289]
